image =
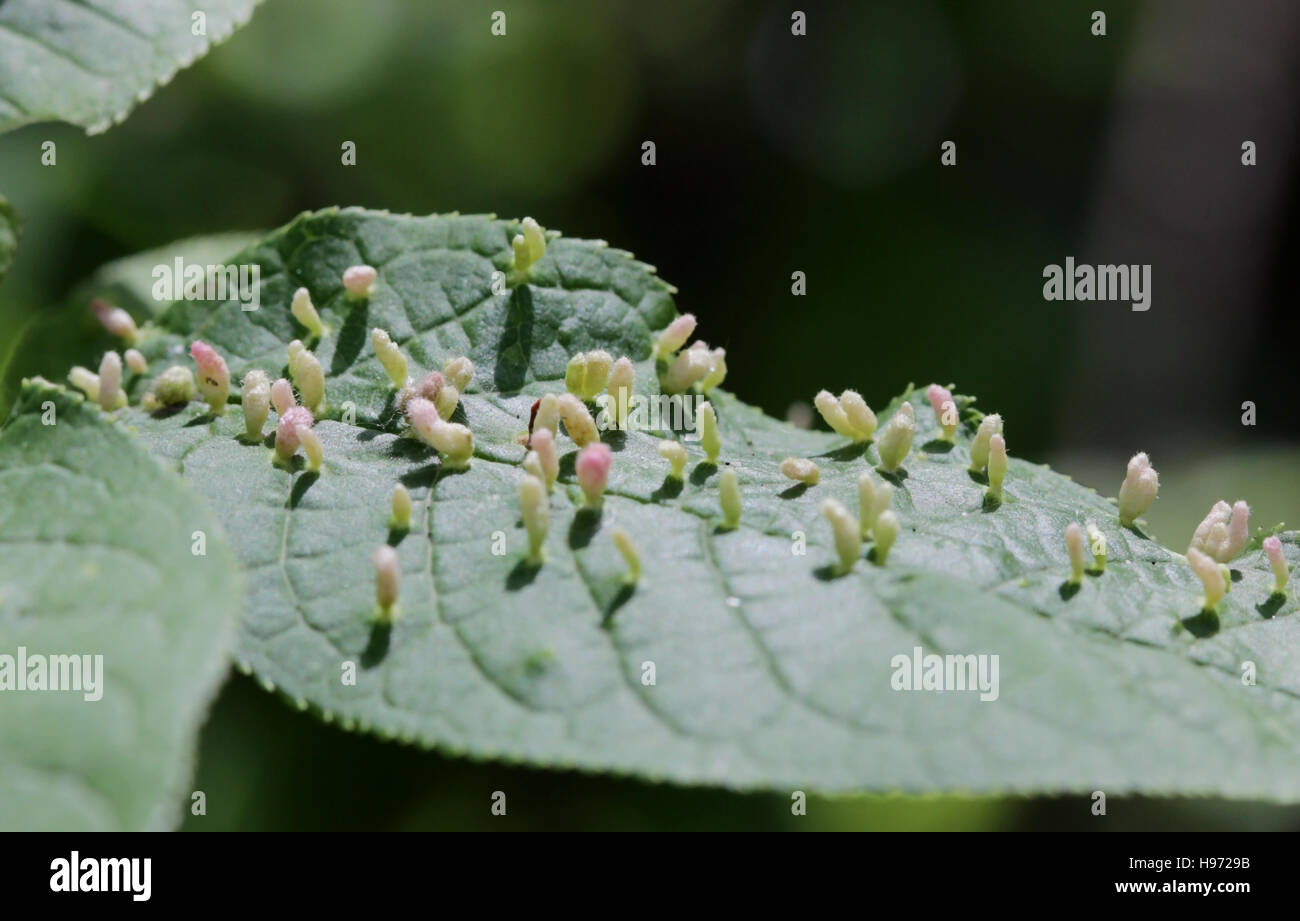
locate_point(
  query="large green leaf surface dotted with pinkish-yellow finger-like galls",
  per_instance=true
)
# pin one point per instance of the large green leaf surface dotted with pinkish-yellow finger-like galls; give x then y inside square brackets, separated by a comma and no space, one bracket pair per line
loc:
[769,672]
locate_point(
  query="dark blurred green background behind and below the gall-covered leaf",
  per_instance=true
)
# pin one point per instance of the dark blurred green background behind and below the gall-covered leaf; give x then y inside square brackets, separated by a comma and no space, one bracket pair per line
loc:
[775,154]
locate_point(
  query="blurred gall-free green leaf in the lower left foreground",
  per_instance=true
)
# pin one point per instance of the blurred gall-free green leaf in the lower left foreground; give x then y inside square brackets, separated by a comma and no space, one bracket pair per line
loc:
[98,561]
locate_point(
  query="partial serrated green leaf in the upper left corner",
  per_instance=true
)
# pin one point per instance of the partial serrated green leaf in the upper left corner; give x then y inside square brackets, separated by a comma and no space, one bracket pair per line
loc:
[92,62]
